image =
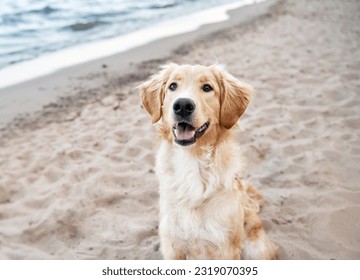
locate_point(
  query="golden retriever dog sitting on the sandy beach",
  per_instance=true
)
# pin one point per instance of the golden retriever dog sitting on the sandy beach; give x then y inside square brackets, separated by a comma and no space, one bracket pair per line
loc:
[206,210]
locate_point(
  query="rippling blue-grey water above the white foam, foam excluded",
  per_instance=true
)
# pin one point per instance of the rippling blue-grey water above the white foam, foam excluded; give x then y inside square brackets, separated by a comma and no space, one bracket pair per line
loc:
[30,28]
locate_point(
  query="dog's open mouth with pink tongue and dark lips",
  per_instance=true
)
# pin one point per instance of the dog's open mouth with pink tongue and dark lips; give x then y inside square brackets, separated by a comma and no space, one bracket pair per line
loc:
[185,134]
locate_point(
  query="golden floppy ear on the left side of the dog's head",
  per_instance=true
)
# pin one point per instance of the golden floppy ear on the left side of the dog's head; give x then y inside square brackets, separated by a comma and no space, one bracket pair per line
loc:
[152,92]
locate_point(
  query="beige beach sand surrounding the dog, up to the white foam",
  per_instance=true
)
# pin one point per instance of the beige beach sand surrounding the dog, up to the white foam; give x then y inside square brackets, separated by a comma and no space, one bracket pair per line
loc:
[77,177]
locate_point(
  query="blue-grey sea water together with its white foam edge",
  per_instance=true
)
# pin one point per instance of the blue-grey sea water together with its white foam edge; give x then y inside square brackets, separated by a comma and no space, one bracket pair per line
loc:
[41,36]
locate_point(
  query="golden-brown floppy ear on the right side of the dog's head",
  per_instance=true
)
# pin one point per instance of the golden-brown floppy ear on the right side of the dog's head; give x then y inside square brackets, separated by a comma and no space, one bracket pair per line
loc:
[234,99]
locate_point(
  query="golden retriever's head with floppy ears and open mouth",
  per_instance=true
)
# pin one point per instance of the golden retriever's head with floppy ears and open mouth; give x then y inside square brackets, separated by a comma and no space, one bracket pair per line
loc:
[191,101]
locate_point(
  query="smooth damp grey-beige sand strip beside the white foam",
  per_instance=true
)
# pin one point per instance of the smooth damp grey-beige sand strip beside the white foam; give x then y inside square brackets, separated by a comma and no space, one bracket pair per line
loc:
[19,102]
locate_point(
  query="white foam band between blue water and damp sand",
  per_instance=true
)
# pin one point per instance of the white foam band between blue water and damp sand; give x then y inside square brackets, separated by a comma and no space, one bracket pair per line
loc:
[53,62]
